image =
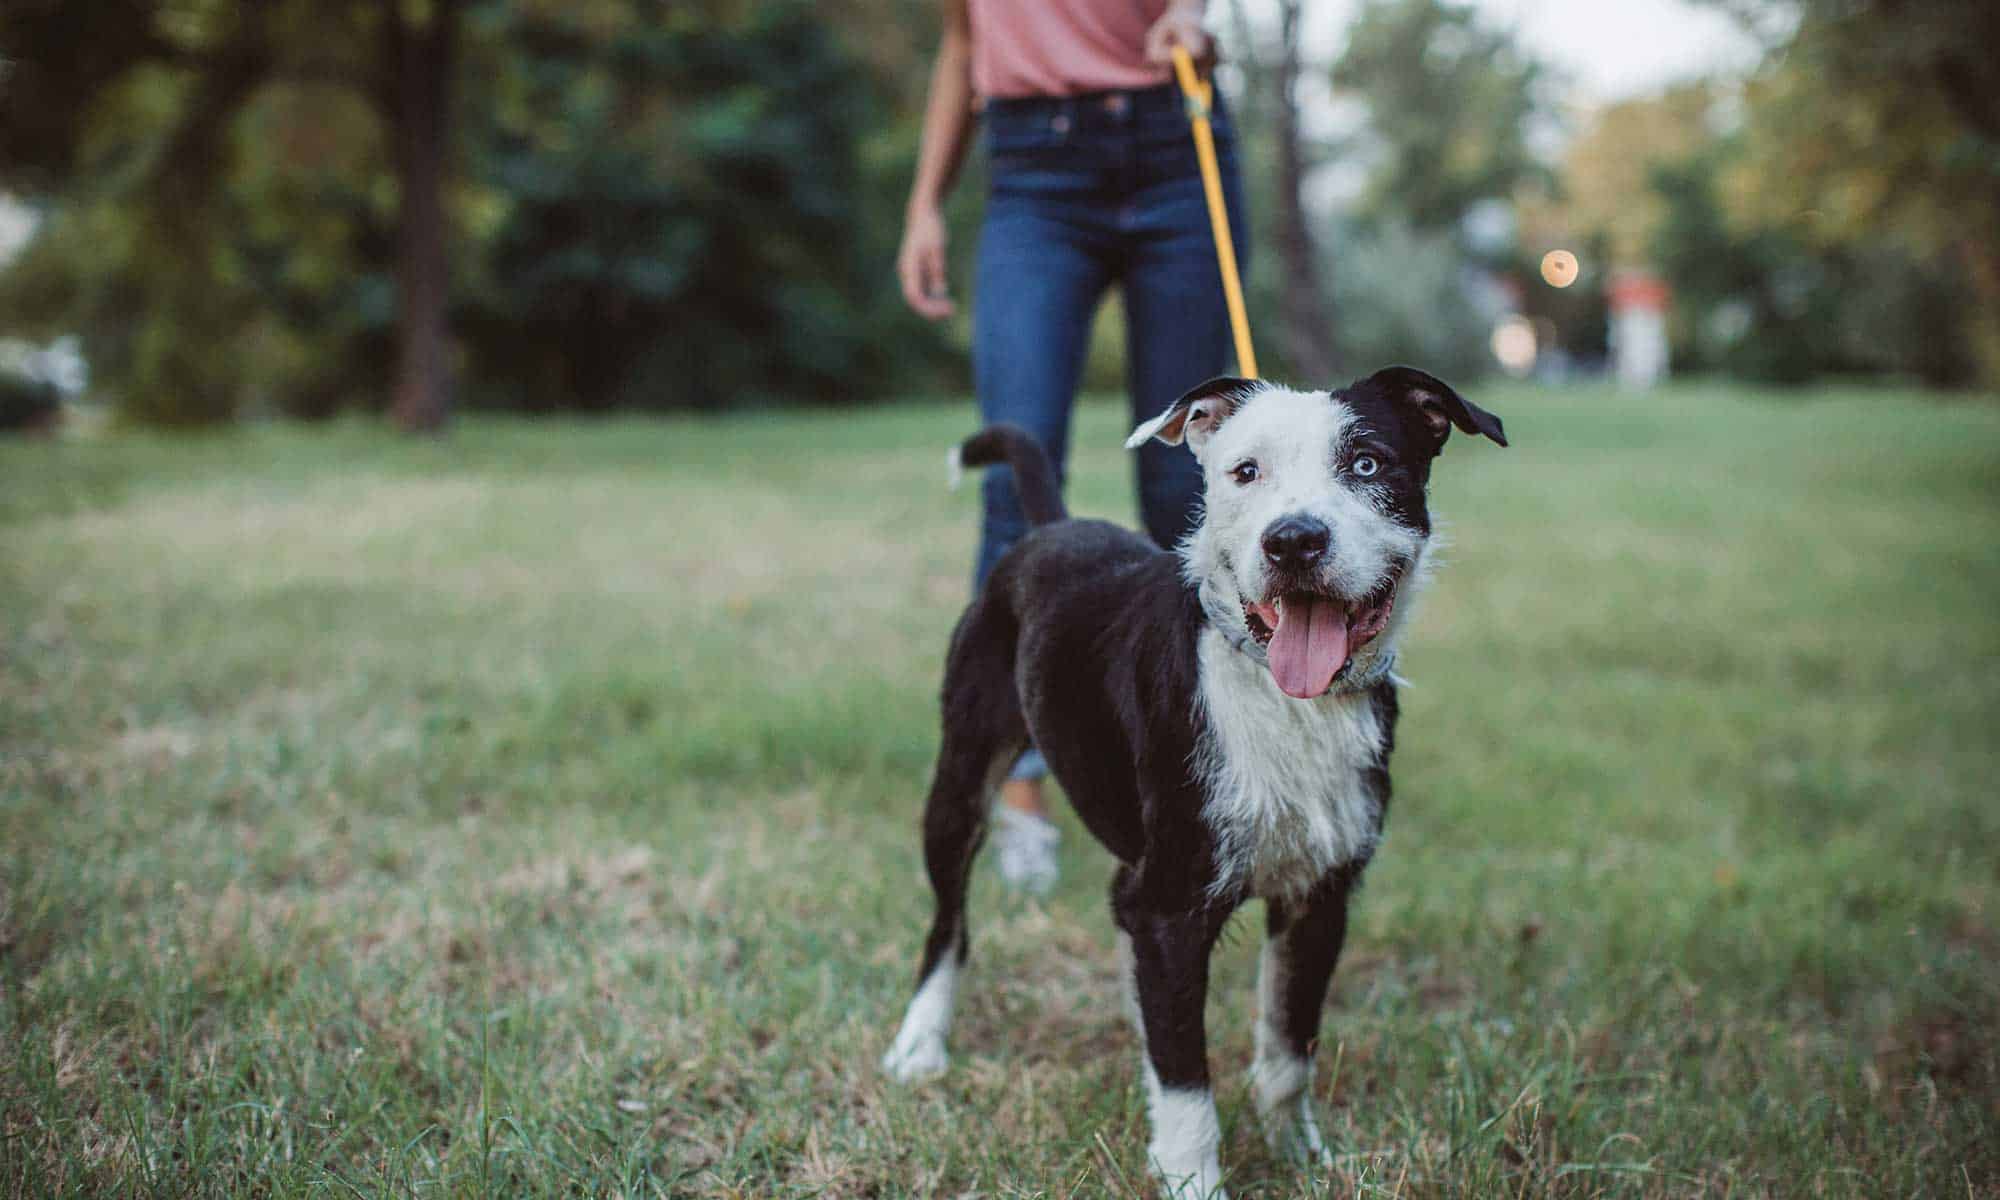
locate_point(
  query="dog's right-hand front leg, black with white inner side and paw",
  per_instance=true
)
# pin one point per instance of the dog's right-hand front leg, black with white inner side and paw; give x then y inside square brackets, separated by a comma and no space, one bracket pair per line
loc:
[1301,949]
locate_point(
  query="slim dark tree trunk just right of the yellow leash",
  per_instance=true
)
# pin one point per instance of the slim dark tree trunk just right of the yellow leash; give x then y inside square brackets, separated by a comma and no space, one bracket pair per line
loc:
[1309,311]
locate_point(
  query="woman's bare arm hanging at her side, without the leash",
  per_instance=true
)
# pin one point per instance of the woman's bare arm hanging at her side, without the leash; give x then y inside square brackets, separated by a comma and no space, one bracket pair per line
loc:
[947,129]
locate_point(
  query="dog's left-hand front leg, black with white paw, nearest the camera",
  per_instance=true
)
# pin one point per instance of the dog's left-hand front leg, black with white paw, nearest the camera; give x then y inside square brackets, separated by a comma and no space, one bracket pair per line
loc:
[1171,985]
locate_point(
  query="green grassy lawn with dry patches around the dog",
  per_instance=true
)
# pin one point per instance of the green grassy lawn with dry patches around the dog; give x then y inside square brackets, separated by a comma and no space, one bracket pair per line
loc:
[535,813]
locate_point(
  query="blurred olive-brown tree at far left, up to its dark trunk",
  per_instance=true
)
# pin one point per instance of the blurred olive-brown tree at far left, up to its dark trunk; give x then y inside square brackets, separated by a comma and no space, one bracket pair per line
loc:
[189,241]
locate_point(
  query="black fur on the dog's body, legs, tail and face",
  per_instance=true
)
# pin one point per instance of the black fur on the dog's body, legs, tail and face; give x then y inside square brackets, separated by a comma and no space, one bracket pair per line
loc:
[1085,643]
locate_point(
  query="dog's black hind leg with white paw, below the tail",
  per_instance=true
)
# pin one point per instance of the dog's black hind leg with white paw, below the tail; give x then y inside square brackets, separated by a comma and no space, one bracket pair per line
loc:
[983,735]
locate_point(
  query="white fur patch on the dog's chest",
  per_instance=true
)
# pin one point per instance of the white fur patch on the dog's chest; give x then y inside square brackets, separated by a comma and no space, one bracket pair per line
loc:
[1289,797]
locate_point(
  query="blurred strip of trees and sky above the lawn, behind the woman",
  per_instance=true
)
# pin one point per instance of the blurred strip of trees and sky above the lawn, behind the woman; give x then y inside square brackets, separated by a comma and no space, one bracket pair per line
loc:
[217,211]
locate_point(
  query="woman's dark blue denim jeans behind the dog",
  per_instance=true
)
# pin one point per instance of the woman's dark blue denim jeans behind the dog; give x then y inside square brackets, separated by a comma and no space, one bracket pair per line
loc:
[1087,193]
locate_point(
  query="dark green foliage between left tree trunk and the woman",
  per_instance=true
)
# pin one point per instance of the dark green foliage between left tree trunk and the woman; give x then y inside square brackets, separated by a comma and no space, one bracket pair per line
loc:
[687,213]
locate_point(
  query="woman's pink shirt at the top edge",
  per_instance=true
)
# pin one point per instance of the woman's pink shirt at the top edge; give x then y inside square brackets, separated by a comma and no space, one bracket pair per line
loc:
[1063,47]
